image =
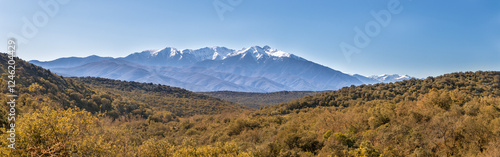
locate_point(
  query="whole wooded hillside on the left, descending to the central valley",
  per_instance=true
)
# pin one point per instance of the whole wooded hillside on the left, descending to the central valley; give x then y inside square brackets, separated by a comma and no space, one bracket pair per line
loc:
[39,87]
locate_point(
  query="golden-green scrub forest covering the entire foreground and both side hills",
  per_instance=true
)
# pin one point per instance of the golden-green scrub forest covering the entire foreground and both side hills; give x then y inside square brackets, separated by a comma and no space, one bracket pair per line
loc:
[455,114]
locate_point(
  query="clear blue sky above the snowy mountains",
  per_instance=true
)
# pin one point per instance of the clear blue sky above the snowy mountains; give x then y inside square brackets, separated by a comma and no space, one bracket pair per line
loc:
[422,38]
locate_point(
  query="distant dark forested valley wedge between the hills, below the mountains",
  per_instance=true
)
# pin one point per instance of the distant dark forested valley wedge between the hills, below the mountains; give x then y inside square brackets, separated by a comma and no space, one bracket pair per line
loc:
[258,100]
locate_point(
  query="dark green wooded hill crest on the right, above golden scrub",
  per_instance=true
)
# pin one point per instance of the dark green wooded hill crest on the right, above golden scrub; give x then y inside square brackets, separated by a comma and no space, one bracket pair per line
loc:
[463,85]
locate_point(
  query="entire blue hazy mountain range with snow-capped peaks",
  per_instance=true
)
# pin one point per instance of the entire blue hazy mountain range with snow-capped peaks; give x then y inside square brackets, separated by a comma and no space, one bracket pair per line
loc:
[253,69]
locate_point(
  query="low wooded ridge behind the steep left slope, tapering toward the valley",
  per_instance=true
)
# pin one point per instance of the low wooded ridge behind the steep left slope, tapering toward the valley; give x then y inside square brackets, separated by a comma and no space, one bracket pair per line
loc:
[178,101]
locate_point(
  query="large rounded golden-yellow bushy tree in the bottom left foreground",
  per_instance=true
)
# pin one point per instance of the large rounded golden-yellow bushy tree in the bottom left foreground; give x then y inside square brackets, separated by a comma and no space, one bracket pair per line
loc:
[49,132]
